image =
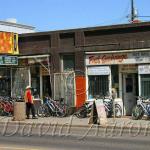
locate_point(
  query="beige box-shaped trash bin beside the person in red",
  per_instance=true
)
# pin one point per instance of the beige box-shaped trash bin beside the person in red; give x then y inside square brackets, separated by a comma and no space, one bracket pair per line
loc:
[19,111]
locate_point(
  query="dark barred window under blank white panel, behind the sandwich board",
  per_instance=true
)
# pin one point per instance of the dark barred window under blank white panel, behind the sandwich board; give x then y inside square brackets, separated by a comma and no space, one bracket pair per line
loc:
[98,85]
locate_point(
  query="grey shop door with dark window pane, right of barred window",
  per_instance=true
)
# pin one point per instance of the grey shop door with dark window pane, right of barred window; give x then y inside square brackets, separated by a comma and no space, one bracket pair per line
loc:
[129,92]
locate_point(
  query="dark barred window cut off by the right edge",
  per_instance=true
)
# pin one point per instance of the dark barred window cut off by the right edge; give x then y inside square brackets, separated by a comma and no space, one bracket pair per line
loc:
[145,85]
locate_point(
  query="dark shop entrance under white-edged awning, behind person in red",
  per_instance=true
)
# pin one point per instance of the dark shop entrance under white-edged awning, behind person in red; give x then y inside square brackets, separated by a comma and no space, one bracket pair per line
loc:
[36,68]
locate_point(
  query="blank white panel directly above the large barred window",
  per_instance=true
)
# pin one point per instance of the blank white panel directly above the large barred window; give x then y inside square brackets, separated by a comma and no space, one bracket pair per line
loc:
[99,70]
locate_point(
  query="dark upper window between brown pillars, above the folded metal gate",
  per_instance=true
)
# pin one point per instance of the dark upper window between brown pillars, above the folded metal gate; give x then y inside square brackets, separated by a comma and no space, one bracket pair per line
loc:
[68,62]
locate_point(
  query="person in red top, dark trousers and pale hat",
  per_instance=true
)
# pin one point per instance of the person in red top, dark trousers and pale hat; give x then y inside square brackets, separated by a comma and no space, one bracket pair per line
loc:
[29,103]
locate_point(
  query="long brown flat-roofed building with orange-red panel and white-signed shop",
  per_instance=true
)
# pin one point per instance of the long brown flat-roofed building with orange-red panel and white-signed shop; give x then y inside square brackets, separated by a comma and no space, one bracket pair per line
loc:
[101,58]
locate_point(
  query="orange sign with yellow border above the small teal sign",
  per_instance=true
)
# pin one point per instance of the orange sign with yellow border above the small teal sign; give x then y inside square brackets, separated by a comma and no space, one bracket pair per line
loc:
[8,43]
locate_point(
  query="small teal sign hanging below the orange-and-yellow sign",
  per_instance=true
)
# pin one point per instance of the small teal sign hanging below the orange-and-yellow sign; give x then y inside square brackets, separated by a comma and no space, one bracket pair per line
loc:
[8,60]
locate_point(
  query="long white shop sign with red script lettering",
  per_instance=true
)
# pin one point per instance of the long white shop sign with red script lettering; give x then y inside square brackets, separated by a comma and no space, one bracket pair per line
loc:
[118,58]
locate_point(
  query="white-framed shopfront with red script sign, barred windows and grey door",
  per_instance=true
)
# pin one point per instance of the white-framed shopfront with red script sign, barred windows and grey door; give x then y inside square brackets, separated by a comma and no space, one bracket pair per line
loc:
[128,73]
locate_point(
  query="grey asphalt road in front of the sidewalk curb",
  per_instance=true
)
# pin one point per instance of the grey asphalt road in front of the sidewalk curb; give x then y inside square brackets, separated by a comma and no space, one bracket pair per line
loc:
[49,137]
